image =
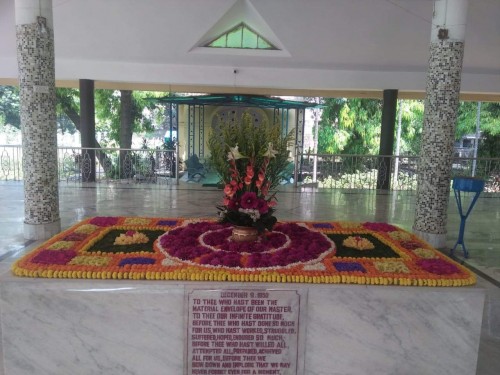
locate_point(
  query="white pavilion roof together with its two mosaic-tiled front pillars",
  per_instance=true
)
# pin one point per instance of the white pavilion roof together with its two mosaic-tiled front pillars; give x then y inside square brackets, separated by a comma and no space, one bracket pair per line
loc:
[304,54]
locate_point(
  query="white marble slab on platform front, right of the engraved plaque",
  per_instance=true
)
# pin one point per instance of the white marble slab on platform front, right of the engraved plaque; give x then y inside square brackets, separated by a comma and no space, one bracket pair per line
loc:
[393,331]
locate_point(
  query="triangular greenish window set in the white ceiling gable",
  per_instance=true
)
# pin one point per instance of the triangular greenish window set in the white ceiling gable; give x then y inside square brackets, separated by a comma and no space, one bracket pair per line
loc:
[243,37]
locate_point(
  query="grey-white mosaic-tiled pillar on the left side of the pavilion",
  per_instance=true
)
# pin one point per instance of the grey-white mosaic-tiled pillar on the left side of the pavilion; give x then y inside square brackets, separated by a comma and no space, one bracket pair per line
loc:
[35,55]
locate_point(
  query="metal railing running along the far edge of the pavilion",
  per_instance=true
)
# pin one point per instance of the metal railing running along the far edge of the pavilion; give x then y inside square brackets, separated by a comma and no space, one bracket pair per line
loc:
[368,172]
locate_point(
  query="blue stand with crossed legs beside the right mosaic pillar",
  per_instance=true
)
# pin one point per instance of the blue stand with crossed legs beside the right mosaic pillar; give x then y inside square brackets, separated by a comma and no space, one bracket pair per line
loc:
[465,184]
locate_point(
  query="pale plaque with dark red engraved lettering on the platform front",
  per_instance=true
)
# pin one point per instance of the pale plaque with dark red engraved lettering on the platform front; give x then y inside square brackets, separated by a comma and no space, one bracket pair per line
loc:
[243,331]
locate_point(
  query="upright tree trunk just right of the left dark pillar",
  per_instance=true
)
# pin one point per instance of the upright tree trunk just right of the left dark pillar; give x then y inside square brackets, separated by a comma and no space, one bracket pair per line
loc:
[126,119]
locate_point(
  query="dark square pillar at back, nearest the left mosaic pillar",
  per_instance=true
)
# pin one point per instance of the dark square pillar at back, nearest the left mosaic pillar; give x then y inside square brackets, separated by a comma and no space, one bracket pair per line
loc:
[87,130]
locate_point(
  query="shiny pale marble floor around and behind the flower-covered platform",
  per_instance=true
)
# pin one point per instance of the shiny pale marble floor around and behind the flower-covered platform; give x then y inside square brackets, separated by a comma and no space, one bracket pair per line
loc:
[482,236]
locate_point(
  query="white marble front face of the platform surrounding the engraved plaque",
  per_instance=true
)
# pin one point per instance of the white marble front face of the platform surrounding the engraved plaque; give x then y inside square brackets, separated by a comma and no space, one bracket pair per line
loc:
[139,327]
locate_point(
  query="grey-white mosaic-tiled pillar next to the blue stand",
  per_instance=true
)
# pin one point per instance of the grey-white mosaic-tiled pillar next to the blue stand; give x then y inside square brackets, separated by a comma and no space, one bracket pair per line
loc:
[441,107]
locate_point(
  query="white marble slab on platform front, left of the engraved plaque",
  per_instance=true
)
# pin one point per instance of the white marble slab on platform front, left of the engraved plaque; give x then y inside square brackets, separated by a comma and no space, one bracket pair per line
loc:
[65,327]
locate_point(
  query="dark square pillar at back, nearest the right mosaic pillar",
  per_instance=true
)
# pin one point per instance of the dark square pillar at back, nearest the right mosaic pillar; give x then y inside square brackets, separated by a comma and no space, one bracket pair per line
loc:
[387,138]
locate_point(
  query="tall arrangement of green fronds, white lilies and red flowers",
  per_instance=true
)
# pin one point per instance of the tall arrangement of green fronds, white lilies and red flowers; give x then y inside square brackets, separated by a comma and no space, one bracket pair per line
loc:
[249,157]
